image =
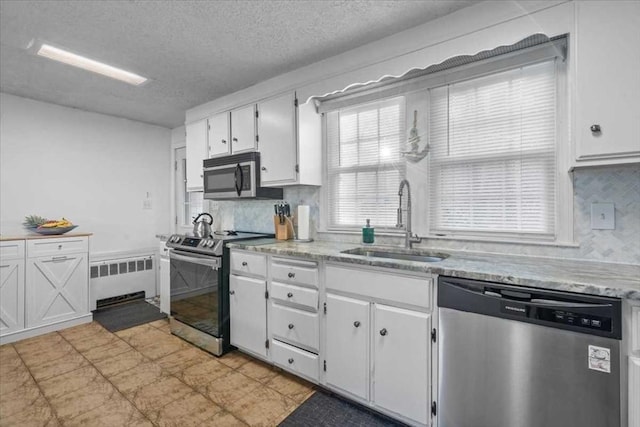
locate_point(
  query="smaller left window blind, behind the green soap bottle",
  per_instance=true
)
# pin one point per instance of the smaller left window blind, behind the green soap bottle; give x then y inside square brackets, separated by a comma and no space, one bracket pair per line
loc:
[364,163]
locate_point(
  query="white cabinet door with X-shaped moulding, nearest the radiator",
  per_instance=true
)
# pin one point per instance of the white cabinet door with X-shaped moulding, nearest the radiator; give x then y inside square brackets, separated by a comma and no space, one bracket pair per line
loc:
[57,288]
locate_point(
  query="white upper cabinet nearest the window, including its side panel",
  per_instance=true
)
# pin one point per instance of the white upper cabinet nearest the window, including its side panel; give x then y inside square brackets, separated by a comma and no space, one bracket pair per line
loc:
[289,141]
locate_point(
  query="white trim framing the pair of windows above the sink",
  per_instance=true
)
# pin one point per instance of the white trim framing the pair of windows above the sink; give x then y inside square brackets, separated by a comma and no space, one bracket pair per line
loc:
[564,221]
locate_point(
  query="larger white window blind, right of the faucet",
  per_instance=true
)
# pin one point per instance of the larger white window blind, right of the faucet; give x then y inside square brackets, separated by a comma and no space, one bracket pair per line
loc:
[493,154]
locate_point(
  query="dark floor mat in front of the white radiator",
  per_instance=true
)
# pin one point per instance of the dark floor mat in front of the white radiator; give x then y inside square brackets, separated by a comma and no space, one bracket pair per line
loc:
[127,315]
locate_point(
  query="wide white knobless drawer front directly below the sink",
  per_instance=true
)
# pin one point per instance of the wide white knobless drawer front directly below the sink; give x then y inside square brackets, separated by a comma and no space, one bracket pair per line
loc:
[380,285]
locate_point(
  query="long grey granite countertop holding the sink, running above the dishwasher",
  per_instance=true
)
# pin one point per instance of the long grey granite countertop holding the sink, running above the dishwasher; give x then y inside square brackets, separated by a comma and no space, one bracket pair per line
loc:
[590,277]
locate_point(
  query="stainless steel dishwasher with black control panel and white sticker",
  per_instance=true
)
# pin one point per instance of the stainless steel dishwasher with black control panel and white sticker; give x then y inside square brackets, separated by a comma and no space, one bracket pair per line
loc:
[517,356]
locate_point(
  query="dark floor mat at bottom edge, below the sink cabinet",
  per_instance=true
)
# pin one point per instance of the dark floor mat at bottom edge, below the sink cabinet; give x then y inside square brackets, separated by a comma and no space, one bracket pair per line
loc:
[328,410]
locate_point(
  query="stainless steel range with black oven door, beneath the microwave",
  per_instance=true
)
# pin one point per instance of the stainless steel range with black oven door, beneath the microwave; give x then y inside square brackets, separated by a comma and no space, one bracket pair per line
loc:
[199,268]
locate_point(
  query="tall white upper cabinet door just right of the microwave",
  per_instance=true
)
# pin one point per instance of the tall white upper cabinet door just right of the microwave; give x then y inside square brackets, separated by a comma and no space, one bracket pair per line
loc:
[277,140]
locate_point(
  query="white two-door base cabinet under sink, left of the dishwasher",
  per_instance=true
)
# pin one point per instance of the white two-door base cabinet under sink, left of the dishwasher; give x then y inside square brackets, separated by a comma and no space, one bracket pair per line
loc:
[377,346]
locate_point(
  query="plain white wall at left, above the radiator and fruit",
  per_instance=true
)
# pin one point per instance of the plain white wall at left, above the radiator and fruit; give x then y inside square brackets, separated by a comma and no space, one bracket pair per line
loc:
[92,169]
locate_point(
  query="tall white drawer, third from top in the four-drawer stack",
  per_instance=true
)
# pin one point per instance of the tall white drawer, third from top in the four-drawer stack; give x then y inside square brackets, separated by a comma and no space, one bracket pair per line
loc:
[295,326]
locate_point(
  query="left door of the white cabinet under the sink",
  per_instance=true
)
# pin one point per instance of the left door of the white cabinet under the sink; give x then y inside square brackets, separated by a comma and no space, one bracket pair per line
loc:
[347,345]
